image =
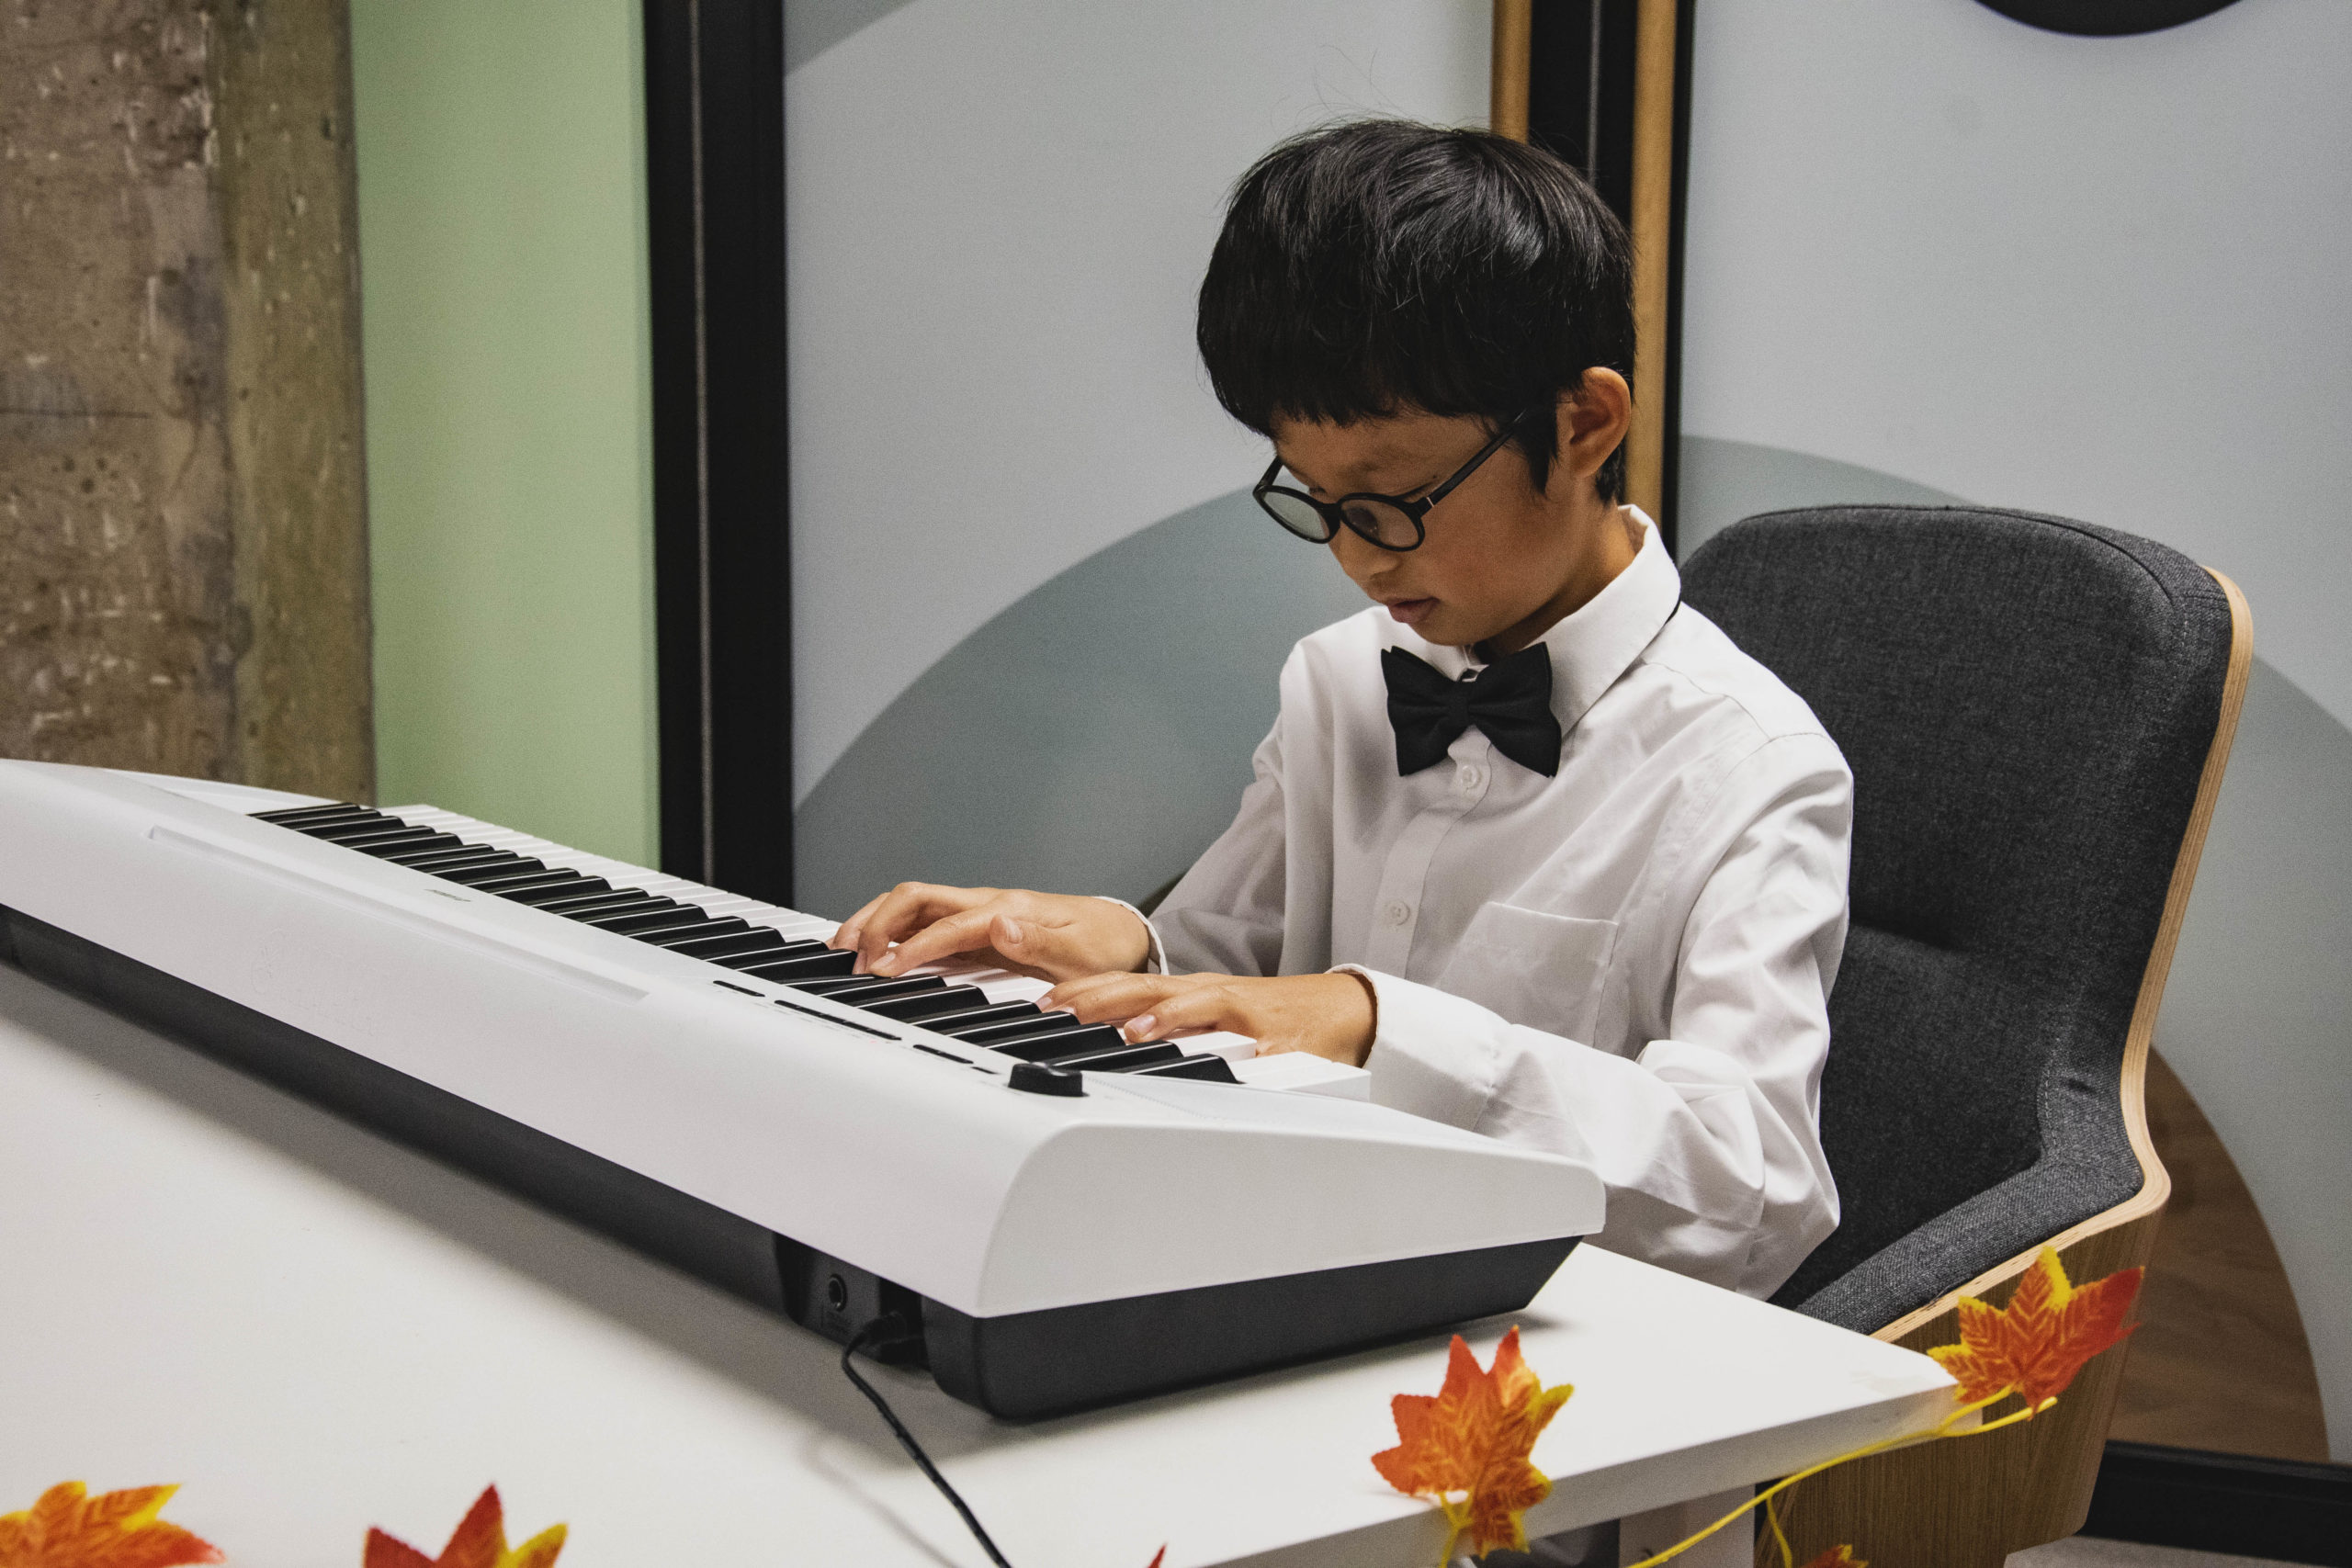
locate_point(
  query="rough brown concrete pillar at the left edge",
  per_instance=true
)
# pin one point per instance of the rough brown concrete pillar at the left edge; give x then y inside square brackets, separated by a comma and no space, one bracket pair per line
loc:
[182,488]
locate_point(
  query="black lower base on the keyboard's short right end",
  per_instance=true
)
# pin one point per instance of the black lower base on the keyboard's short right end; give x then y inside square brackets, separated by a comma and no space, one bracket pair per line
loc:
[1031,1365]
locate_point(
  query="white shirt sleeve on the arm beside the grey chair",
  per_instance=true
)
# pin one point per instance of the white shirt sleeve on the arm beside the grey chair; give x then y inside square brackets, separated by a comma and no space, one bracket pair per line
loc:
[1711,1137]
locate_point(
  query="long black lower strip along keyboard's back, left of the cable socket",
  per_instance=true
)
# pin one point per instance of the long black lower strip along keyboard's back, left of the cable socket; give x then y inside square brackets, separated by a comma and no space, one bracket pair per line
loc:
[660,1221]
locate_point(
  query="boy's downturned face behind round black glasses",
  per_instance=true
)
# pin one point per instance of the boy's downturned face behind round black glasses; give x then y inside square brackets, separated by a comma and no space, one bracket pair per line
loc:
[1502,561]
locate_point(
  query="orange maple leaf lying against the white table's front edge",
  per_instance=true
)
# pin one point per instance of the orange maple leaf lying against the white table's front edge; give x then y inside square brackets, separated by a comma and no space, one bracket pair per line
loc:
[1466,1449]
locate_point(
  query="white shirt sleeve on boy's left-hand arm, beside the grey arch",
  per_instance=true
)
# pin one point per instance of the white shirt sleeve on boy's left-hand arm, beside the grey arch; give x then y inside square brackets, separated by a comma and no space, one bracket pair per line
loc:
[1227,916]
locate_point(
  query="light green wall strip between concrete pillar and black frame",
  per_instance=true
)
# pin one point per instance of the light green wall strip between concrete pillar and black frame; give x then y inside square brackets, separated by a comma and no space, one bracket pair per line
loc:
[509,453]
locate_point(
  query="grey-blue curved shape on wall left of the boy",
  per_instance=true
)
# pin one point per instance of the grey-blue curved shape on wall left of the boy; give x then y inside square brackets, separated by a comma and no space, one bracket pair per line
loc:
[1093,737]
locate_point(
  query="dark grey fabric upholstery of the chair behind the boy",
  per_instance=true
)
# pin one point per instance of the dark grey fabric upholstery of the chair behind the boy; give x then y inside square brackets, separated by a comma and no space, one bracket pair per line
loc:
[2029,706]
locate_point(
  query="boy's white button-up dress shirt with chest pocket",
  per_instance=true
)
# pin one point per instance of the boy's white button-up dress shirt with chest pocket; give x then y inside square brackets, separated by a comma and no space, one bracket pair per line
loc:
[1626,963]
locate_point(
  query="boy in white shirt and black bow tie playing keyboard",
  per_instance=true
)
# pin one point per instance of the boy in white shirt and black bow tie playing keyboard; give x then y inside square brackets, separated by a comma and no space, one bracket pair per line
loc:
[1532,843]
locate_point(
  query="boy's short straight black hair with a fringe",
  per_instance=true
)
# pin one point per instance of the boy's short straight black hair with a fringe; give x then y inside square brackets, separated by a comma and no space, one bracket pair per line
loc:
[1382,267]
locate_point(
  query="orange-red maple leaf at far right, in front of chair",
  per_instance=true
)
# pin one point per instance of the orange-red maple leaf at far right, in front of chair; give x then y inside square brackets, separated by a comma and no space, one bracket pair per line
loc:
[2038,1343]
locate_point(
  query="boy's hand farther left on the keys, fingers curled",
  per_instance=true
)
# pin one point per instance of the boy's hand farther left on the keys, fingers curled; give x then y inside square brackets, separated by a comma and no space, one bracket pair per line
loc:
[1055,937]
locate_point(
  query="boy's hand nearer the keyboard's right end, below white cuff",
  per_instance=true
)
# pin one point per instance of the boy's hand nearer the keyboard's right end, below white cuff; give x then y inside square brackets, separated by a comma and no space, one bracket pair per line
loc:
[1318,1014]
